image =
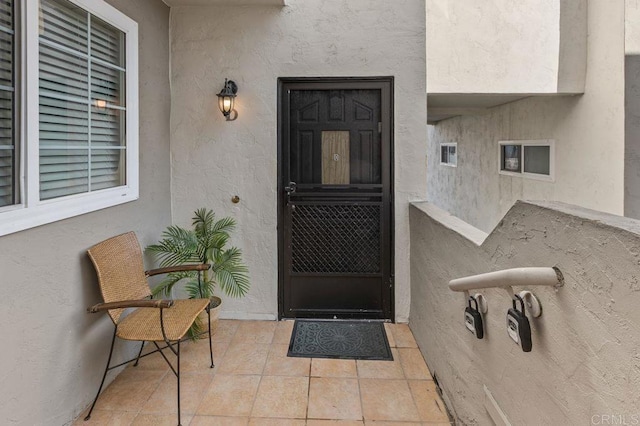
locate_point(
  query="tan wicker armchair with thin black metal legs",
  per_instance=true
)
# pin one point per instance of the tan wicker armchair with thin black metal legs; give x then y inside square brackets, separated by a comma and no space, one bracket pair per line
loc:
[123,284]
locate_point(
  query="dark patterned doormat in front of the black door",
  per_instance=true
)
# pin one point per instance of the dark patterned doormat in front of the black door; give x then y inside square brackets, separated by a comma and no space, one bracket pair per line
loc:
[339,339]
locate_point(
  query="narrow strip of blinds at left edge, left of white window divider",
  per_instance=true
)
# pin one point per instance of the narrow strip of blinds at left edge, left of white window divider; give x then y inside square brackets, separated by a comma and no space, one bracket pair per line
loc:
[8,153]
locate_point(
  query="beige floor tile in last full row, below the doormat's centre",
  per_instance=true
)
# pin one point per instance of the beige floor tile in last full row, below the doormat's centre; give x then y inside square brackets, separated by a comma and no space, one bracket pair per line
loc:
[334,398]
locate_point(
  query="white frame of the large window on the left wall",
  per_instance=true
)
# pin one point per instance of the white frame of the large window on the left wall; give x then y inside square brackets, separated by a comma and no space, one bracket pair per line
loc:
[31,211]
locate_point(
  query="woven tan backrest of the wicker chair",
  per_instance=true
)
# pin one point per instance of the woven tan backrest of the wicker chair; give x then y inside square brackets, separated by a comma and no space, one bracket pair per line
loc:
[118,263]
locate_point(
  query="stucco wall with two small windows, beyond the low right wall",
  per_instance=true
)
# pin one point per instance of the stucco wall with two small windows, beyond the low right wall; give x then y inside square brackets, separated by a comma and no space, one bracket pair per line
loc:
[588,130]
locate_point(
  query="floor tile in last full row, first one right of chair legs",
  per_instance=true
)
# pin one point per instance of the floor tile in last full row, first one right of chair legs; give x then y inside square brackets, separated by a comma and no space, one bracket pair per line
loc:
[229,396]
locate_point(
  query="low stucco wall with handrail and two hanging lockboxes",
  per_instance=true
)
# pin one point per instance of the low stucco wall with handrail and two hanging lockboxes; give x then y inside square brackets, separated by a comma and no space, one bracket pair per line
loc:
[585,360]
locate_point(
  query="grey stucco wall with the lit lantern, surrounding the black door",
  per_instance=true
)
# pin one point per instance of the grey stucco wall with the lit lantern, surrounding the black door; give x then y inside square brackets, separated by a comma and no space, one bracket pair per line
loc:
[213,159]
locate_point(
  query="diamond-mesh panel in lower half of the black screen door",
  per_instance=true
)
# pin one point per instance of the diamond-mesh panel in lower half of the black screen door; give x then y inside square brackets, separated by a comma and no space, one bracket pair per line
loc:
[335,238]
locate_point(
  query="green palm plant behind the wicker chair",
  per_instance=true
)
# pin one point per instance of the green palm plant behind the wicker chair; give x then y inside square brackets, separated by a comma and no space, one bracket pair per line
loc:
[205,243]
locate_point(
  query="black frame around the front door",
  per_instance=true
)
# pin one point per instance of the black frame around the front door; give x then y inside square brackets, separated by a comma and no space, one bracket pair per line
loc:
[336,83]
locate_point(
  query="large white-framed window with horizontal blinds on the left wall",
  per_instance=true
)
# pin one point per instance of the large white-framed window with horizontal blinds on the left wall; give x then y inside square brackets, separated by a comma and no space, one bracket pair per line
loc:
[68,113]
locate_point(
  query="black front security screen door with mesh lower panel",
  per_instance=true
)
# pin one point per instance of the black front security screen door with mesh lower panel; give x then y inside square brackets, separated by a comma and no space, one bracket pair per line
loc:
[335,206]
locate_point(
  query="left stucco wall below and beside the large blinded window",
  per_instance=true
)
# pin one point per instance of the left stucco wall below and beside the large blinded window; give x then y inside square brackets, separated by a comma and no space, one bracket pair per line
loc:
[53,352]
